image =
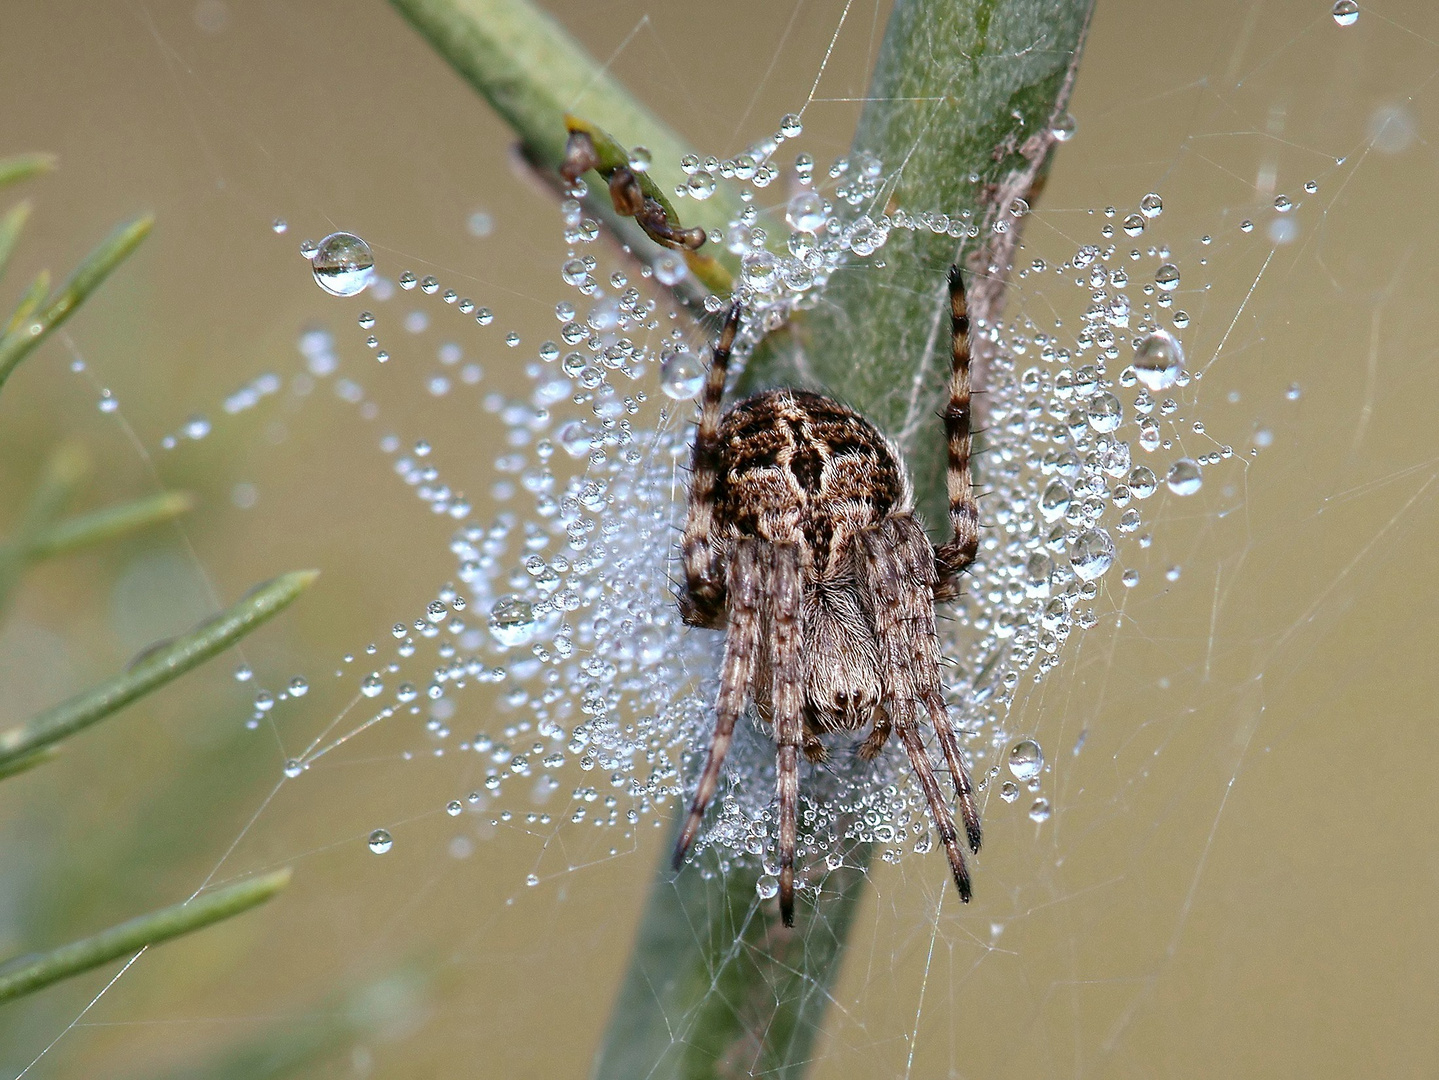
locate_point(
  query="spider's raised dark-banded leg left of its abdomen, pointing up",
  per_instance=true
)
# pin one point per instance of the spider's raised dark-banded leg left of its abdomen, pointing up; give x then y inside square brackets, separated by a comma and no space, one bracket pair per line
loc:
[704,593]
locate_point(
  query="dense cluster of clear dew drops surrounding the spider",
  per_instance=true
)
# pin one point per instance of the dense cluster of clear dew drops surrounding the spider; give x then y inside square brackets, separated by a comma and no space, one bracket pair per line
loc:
[573,579]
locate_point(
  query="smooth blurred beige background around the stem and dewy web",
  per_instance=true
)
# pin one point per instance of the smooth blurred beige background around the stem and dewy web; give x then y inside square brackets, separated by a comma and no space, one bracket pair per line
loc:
[1241,869]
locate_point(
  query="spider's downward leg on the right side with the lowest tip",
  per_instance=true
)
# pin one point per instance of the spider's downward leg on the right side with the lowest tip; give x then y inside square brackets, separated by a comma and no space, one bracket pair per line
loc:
[900,593]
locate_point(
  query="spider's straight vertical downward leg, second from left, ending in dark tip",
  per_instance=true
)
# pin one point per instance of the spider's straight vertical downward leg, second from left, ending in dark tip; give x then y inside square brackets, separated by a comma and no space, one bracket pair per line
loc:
[786,592]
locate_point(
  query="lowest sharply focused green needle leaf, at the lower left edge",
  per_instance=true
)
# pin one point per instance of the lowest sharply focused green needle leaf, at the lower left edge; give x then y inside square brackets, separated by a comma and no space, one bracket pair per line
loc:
[28,974]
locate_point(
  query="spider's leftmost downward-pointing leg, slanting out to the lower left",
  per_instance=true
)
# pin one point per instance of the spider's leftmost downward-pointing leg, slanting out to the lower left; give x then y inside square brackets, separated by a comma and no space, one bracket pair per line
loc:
[736,677]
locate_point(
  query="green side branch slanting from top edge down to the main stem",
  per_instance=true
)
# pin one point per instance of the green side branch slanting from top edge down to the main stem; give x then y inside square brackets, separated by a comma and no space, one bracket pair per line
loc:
[533,73]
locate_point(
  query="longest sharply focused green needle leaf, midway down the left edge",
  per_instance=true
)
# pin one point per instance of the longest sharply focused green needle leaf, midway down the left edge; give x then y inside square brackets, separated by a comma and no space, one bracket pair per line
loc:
[156,667]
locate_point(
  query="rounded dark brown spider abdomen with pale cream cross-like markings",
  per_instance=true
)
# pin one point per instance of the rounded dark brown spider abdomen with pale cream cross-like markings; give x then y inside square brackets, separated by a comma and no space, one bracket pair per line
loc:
[801,468]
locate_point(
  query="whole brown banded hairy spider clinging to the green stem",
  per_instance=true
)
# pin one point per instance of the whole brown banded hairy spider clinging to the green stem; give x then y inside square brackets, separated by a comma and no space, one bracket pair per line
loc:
[804,547]
